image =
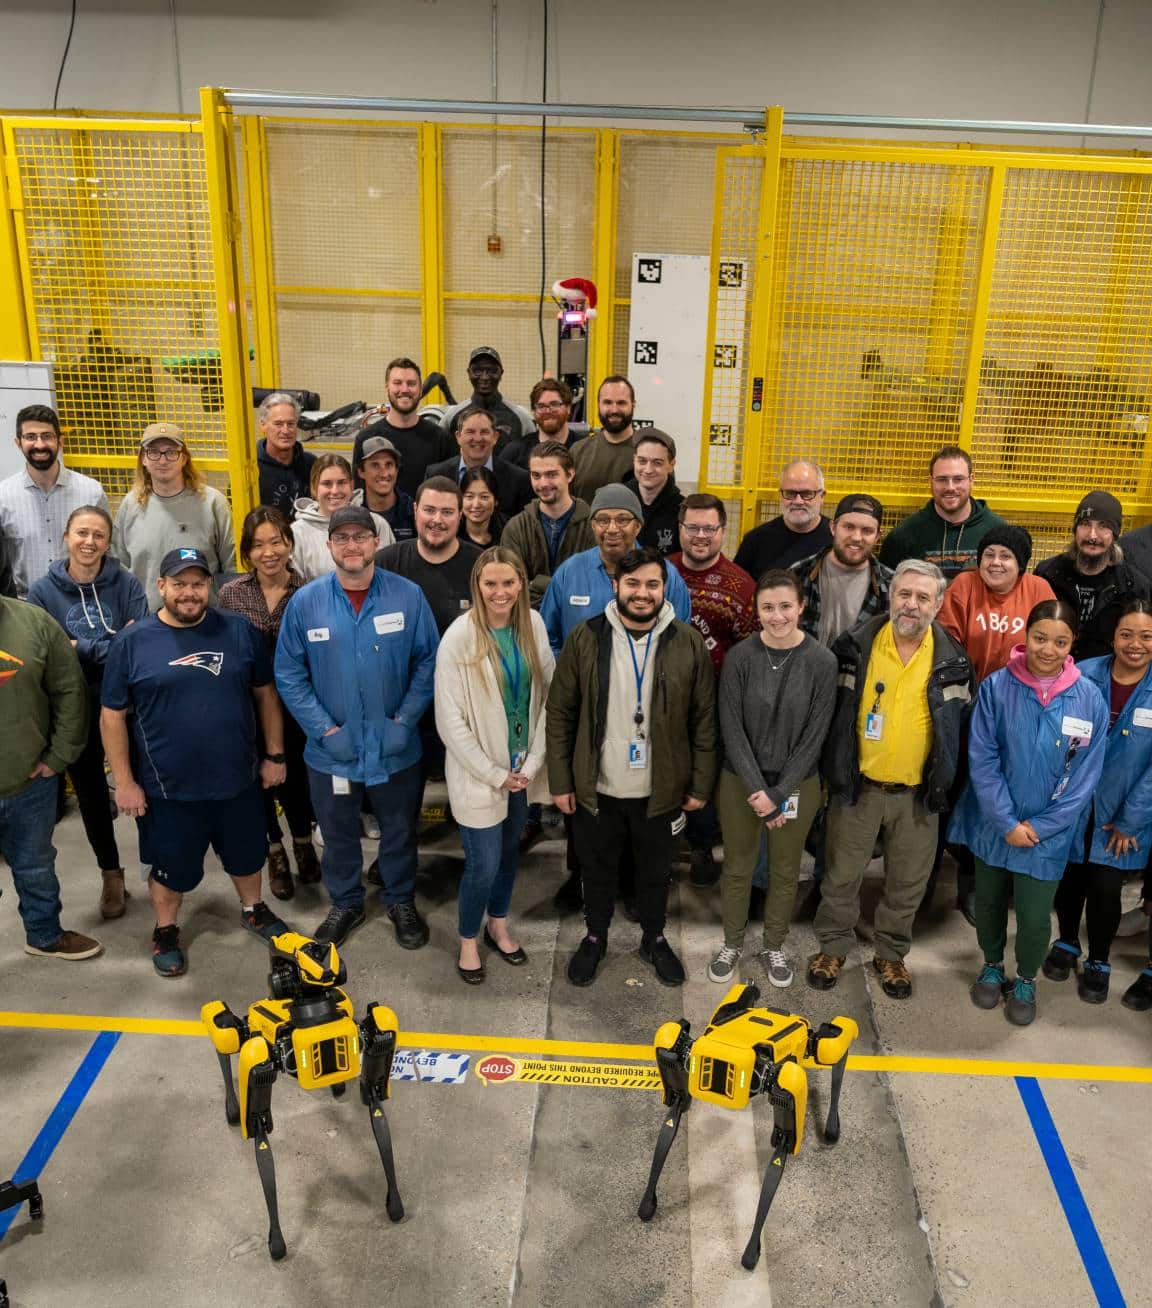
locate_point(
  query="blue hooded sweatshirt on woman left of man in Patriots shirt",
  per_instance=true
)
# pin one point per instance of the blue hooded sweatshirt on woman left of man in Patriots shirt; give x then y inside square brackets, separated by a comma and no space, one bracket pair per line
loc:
[91,613]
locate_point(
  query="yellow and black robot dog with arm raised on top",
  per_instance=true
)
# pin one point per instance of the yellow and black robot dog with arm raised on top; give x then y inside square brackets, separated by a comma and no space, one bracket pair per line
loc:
[307,1031]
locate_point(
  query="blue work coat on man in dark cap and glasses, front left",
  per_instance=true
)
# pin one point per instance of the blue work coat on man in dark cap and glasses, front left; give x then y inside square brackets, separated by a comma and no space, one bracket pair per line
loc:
[369,674]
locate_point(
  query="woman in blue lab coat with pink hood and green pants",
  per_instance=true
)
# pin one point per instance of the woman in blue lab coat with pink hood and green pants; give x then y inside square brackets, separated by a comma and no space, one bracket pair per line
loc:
[1036,751]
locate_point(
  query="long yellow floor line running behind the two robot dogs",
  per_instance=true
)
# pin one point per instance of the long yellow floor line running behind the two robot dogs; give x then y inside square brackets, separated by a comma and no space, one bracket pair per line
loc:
[601,1050]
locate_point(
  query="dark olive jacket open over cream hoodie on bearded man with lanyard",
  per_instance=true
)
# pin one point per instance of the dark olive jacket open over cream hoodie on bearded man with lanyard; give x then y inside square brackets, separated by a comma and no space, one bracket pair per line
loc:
[683,731]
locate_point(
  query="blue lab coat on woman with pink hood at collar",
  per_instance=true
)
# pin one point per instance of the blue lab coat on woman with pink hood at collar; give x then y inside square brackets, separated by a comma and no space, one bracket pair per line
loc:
[1030,762]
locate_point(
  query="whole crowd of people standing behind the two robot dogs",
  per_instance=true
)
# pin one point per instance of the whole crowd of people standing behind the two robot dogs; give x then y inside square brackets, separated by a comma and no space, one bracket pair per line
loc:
[538,614]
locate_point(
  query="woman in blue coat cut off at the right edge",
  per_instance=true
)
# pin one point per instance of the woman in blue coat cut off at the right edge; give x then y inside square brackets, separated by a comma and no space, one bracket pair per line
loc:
[1113,834]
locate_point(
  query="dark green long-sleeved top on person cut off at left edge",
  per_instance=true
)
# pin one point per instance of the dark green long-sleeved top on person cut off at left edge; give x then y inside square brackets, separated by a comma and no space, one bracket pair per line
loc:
[44,698]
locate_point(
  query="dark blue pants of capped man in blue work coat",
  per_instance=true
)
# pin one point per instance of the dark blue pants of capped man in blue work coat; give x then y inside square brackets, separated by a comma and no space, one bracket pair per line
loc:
[397,805]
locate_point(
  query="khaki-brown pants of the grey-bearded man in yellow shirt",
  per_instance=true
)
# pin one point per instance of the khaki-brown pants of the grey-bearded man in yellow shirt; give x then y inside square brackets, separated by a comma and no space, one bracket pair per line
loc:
[909,848]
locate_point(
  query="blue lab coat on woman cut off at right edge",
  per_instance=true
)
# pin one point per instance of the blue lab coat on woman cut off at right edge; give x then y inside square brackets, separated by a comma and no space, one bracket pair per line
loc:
[1124,797]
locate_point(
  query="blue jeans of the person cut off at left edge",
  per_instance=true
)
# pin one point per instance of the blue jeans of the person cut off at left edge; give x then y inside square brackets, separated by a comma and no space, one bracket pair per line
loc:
[27,822]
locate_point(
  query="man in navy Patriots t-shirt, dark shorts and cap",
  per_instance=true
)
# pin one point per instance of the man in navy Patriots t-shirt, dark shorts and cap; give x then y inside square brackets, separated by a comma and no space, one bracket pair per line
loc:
[194,681]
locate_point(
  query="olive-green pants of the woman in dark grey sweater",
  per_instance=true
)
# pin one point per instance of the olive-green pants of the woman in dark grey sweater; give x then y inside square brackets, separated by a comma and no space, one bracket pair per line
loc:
[743,831]
